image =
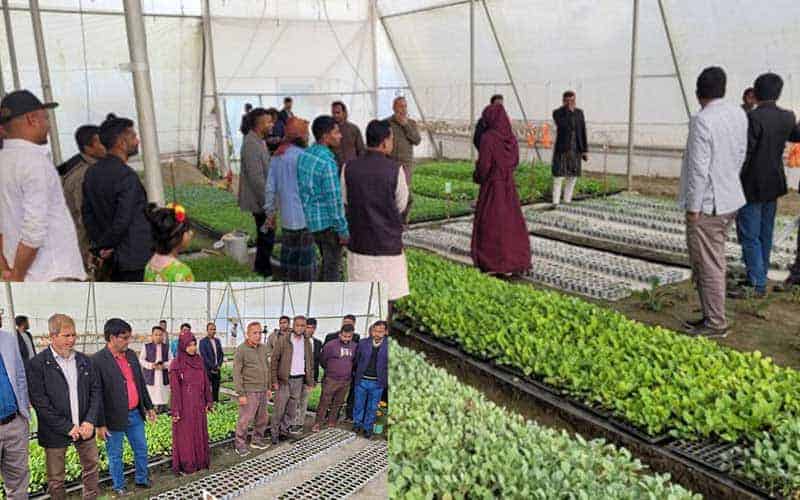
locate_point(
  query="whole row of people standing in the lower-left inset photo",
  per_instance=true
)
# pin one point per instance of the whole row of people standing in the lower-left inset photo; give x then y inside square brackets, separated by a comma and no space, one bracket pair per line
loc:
[109,395]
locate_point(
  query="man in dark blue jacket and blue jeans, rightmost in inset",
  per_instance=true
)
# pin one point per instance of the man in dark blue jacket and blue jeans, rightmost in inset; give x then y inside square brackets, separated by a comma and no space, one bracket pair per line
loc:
[372,377]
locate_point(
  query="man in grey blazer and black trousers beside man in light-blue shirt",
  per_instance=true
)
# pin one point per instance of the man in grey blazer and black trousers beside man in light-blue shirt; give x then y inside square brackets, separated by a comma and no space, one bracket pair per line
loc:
[252,182]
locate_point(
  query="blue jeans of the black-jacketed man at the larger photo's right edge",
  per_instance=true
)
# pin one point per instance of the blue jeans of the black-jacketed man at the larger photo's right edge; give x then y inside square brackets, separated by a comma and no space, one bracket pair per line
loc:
[754,226]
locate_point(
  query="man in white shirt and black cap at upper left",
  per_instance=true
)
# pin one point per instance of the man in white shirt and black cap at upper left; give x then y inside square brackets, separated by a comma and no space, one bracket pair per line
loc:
[37,233]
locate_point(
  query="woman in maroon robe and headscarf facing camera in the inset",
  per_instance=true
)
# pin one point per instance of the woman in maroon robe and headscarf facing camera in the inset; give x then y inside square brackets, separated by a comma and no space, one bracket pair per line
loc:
[191,400]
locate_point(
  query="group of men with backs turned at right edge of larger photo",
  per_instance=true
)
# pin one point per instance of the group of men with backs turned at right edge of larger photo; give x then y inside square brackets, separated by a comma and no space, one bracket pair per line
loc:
[733,171]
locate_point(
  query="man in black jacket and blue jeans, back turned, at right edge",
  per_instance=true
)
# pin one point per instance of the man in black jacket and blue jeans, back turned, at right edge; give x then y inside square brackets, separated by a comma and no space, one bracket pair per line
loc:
[763,180]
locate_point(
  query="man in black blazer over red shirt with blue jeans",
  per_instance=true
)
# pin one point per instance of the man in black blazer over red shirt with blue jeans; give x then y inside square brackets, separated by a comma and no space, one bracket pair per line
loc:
[125,404]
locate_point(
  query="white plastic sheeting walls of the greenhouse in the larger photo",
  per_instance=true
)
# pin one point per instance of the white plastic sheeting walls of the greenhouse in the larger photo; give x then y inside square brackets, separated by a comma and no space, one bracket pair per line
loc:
[265,49]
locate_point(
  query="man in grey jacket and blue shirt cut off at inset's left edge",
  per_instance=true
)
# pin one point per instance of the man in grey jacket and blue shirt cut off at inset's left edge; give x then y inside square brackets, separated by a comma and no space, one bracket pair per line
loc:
[14,418]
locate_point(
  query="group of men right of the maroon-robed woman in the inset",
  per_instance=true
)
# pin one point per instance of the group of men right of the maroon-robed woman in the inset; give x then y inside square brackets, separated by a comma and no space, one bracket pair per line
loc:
[286,367]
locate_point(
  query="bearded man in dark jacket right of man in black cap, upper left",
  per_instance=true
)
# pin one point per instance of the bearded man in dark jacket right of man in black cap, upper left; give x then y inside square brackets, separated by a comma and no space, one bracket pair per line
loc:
[114,202]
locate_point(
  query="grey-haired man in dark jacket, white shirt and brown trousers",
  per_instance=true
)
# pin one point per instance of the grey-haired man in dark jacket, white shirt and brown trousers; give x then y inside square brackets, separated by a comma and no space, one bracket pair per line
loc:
[65,390]
